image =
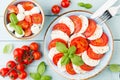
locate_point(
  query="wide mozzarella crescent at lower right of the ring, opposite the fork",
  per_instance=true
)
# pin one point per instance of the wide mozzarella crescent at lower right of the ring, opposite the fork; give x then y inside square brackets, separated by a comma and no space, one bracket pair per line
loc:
[87,60]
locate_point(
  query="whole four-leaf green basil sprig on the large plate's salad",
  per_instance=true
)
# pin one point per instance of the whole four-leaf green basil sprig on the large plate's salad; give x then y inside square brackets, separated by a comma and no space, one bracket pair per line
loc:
[69,54]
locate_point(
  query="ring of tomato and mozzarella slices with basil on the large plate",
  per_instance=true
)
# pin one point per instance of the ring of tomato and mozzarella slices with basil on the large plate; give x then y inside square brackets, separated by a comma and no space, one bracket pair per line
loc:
[77,44]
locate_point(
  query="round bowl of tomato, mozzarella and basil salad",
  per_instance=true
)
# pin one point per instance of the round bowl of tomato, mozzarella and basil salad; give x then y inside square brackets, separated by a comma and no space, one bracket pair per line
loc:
[24,19]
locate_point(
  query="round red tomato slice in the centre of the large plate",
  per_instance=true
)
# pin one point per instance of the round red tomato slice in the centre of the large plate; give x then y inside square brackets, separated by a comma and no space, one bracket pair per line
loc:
[80,43]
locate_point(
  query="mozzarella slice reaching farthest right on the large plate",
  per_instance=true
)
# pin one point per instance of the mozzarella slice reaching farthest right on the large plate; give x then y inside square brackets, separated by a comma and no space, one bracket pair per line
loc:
[100,49]
